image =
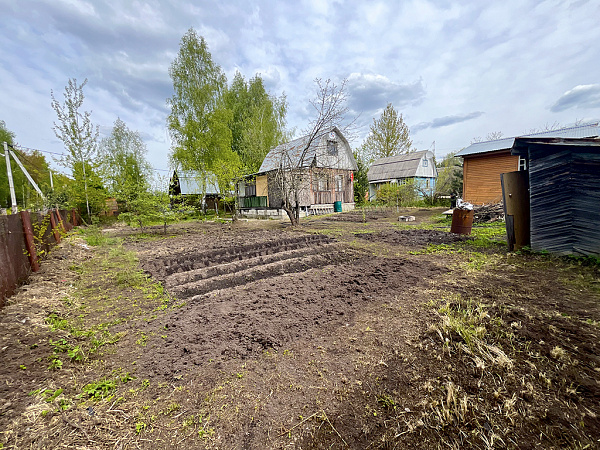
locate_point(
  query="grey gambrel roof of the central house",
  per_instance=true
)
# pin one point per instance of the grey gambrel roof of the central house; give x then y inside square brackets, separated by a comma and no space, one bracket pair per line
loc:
[295,152]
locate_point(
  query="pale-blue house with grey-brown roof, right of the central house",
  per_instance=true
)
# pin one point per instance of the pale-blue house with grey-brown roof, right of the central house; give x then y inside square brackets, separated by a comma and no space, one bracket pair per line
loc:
[417,167]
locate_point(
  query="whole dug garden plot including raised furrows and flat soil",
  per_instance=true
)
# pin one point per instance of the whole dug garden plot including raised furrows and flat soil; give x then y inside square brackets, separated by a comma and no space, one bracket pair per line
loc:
[241,300]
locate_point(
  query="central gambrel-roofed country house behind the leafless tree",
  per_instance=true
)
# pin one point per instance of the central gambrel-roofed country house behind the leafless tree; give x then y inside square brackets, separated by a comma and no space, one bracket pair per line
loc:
[325,168]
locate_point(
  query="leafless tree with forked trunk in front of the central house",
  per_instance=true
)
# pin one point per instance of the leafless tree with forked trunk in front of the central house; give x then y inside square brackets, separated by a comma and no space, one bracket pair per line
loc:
[292,176]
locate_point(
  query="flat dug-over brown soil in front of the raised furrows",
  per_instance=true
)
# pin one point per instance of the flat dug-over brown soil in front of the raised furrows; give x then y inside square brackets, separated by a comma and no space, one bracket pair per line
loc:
[273,309]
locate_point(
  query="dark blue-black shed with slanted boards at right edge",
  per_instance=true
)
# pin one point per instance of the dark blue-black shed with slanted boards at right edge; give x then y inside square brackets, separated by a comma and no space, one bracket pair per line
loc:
[563,193]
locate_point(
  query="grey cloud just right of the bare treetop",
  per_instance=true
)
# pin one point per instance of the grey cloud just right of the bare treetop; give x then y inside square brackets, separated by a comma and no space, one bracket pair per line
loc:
[369,93]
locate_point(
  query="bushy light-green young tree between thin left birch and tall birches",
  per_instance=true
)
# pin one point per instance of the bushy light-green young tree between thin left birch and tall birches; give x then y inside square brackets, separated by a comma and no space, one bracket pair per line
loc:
[124,165]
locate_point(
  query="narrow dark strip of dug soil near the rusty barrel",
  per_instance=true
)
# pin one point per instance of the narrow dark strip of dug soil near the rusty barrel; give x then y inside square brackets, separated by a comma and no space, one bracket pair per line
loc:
[414,238]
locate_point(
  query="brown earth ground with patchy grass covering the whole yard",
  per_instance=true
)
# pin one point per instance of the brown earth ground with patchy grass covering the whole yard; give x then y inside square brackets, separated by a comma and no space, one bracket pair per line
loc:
[341,334]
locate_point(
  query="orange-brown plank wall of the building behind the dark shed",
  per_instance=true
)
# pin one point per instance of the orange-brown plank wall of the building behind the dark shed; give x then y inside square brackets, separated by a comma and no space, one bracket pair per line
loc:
[481,176]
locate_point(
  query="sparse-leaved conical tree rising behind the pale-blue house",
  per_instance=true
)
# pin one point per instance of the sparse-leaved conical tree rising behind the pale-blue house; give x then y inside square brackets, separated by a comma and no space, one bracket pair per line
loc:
[388,136]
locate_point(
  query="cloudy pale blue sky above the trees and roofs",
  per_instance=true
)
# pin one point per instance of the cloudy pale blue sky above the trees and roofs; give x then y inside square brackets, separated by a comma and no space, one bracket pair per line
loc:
[456,70]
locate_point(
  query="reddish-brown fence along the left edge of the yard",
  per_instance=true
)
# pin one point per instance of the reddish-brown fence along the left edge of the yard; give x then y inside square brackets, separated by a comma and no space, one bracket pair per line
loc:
[25,238]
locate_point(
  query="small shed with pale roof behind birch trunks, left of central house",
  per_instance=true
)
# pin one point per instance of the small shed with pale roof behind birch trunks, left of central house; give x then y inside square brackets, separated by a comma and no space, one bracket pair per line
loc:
[189,186]
